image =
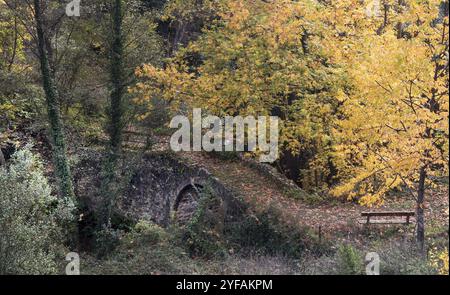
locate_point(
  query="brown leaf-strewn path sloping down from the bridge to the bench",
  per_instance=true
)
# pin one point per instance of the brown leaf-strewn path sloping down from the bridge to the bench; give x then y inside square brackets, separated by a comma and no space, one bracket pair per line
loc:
[335,218]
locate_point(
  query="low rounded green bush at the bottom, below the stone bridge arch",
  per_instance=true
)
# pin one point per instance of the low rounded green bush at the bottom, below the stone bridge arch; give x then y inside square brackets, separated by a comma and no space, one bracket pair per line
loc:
[146,249]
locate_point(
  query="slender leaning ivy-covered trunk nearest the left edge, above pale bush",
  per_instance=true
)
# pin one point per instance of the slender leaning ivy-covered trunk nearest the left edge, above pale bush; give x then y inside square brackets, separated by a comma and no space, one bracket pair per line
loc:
[56,129]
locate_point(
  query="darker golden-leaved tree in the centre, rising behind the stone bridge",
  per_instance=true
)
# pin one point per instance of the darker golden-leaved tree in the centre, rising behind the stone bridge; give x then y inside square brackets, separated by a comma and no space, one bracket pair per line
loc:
[256,58]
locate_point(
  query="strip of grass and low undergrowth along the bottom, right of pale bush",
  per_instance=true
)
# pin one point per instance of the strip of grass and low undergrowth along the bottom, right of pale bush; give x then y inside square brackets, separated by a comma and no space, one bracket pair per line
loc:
[150,249]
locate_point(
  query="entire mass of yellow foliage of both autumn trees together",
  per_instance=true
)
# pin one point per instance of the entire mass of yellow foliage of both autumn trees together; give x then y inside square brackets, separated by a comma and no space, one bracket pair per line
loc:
[367,92]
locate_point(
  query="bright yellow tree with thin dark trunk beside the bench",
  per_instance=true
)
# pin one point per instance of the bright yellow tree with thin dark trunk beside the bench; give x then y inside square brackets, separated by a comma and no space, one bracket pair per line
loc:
[395,132]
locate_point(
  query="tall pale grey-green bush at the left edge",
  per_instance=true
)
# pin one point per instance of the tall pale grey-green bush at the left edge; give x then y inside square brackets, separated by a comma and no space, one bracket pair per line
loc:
[31,218]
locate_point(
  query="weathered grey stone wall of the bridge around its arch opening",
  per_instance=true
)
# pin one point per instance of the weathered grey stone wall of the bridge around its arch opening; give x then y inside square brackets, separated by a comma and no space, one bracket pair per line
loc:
[156,188]
